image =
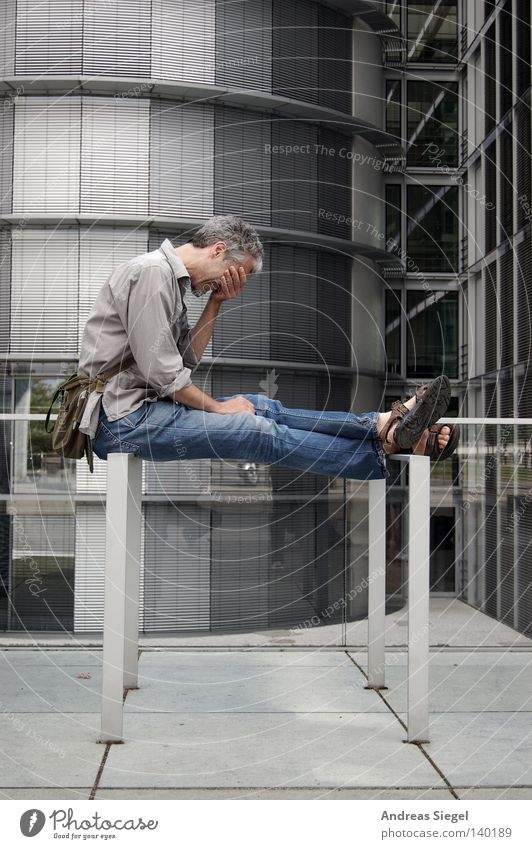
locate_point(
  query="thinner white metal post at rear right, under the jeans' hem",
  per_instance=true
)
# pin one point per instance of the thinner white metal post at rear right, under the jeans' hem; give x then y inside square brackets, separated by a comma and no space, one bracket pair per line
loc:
[376,583]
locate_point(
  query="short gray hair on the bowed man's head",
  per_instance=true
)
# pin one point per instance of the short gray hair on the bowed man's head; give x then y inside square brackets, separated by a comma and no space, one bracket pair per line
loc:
[240,237]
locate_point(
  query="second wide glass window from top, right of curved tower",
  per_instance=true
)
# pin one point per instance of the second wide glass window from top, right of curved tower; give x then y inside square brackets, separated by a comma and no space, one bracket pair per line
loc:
[432,123]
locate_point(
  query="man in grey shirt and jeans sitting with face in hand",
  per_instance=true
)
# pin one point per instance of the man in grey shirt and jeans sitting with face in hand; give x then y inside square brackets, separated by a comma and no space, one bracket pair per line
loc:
[153,408]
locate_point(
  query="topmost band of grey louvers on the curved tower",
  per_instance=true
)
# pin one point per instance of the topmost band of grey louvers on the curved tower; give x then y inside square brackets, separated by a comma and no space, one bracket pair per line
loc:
[297,49]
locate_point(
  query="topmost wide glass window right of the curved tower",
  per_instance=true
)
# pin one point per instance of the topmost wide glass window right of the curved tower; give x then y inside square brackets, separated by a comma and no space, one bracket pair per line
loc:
[432,31]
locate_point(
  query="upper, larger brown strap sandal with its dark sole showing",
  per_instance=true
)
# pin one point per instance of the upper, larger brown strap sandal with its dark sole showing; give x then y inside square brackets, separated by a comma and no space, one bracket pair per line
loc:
[432,402]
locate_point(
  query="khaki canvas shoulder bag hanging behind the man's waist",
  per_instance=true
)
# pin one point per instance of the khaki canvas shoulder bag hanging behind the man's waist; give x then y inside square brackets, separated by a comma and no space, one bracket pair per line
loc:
[67,439]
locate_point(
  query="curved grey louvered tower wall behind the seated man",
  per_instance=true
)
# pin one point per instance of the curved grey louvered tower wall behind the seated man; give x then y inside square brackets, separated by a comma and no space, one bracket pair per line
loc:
[126,169]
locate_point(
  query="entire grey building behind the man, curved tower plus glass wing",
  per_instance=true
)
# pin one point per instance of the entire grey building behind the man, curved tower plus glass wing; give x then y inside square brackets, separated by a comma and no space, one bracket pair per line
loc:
[342,130]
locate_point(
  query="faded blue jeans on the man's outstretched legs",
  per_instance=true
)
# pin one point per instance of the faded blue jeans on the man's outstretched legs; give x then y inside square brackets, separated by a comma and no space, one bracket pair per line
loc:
[322,442]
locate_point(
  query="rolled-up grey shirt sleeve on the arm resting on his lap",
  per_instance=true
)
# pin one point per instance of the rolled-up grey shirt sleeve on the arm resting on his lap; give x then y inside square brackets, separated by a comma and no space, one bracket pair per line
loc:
[149,306]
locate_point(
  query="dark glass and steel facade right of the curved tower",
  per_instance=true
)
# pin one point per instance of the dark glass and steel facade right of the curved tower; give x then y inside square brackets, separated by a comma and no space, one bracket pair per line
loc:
[459,216]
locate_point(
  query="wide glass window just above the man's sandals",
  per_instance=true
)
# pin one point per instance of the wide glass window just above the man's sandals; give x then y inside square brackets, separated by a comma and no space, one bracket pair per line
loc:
[431,333]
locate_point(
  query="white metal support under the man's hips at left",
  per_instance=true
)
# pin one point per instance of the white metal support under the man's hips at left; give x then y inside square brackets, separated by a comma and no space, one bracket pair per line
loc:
[122,576]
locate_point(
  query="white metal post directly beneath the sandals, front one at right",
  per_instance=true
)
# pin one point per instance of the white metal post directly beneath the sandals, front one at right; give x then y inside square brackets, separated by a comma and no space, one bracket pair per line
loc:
[418,597]
